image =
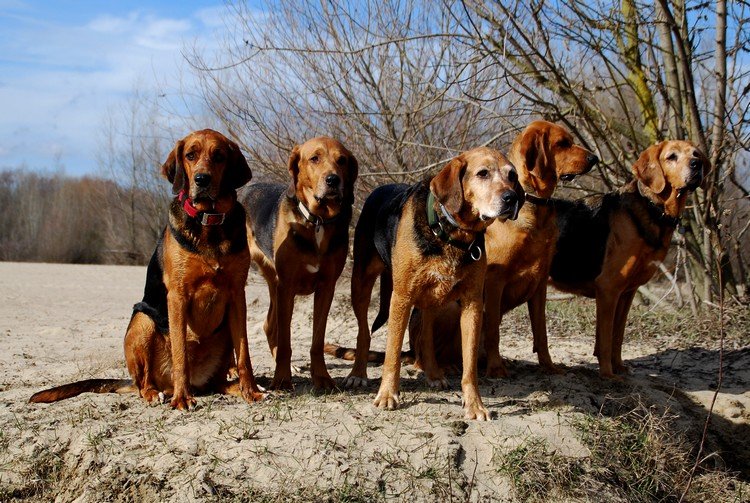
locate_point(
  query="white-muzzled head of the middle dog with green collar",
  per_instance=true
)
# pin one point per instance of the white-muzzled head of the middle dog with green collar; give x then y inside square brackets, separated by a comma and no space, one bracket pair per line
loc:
[477,187]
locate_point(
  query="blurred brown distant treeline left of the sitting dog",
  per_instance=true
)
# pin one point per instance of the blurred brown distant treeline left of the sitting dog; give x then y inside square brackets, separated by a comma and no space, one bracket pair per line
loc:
[55,218]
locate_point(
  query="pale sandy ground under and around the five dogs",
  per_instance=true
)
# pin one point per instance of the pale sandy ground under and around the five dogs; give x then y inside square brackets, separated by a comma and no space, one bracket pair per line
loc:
[60,323]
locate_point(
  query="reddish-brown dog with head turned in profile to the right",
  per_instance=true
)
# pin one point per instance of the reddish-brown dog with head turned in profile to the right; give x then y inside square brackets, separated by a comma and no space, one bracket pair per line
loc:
[519,252]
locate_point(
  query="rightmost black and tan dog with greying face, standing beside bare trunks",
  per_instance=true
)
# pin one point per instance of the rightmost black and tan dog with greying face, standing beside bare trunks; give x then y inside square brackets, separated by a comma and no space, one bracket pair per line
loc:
[612,244]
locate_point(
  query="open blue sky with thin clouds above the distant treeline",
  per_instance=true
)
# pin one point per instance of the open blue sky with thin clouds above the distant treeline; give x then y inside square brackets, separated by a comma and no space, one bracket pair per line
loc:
[65,65]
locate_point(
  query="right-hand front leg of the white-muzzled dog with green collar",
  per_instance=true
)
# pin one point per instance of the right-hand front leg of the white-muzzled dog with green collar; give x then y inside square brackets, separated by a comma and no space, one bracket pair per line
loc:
[471,325]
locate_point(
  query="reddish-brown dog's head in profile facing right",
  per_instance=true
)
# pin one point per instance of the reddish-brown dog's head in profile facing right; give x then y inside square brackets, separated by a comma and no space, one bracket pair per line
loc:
[545,153]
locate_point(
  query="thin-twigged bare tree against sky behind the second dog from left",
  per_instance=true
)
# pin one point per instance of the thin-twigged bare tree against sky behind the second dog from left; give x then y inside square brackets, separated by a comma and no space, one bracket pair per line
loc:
[387,78]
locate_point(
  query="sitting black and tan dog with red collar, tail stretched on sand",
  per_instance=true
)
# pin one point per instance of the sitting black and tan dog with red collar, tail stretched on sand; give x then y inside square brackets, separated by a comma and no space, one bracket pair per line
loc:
[190,327]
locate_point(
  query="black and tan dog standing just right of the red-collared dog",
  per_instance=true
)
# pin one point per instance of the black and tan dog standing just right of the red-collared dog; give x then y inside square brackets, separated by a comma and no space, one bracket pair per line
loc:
[299,239]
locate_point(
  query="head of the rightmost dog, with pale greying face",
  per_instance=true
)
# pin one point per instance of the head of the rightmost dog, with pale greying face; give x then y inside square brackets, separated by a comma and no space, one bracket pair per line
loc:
[671,170]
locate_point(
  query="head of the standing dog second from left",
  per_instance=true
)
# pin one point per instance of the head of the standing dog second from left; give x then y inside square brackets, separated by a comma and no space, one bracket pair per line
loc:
[323,174]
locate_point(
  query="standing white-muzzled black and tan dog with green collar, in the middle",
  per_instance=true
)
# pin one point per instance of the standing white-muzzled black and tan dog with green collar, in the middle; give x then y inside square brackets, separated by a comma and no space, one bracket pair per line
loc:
[427,241]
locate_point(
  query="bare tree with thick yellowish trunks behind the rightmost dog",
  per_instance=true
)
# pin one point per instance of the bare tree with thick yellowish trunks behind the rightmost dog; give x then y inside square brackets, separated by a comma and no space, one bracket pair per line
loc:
[625,75]
